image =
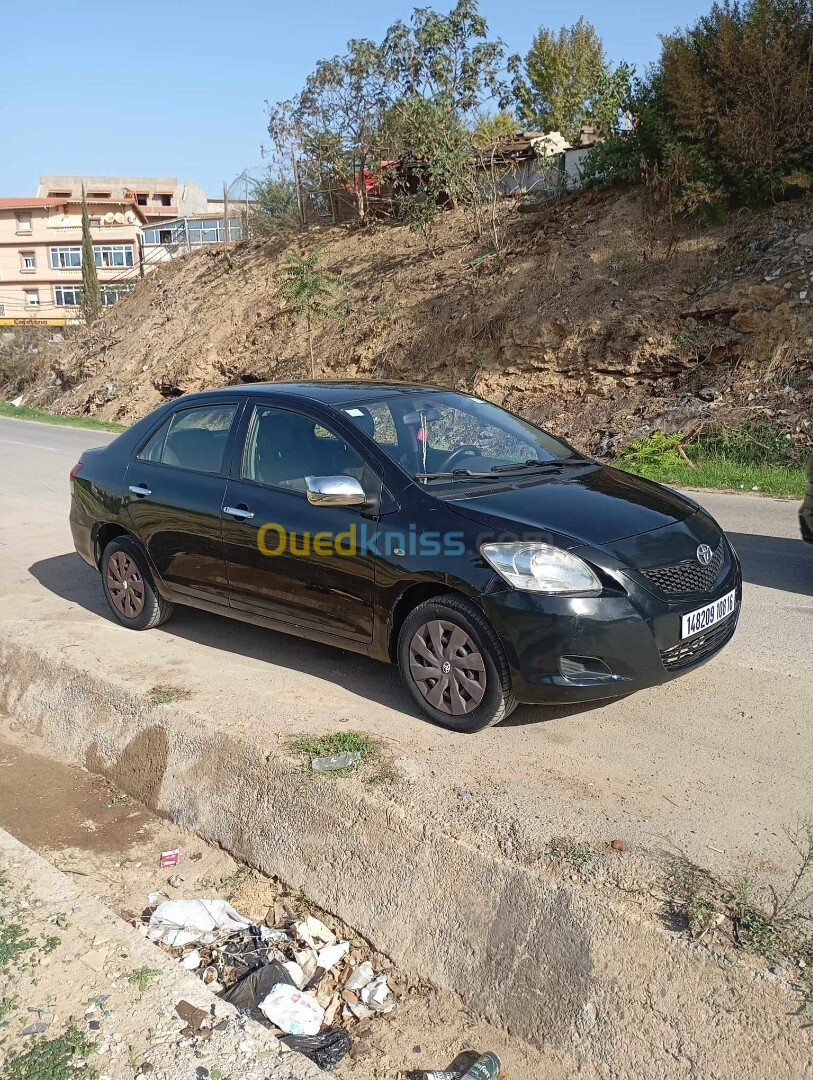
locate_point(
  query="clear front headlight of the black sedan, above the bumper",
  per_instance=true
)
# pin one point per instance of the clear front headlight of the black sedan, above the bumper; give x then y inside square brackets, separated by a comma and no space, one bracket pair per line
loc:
[541,569]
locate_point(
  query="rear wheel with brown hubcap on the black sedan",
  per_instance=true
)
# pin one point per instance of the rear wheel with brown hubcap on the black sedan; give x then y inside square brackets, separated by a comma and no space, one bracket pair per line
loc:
[129,587]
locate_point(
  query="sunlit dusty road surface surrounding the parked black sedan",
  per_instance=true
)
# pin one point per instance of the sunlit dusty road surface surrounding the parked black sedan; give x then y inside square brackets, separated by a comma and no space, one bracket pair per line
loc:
[716,764]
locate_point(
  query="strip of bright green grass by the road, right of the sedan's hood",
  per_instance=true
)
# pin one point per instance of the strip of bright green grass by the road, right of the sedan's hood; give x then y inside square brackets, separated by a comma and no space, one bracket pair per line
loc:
[724,476]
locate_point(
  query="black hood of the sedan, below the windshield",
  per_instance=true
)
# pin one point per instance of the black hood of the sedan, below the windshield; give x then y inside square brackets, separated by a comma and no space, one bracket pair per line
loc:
[594,507]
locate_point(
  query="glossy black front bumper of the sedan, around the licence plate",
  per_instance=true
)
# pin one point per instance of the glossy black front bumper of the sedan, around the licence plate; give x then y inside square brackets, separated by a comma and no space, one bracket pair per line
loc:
[633,631]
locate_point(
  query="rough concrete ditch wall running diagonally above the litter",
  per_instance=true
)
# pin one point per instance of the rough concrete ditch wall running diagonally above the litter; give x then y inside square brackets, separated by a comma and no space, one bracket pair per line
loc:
[613,994]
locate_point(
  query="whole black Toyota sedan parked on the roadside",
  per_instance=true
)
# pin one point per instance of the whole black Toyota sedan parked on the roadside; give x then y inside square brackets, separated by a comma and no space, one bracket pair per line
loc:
[493,562]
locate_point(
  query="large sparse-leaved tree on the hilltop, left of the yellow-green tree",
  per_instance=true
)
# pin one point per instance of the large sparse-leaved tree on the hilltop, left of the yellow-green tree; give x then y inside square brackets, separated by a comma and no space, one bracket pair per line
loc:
[383,102]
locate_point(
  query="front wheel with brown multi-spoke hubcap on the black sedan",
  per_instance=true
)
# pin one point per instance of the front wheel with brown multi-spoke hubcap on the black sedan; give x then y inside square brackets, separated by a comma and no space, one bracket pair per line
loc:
[452,637]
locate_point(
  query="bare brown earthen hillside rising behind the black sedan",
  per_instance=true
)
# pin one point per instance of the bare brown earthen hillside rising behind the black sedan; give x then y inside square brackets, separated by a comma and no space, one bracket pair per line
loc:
[592,320]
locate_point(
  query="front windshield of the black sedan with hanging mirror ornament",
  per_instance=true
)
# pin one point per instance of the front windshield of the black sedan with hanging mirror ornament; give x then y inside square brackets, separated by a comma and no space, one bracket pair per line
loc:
[449,437]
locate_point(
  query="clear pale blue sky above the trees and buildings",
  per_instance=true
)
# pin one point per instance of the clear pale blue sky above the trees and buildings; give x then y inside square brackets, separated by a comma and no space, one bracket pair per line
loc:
[180,90]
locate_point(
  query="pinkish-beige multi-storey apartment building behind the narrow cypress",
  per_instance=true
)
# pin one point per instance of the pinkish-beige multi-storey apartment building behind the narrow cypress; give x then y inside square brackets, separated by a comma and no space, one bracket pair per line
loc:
[42,255]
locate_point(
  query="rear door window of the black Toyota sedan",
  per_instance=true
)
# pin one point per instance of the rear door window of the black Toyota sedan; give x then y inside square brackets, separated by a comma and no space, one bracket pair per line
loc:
[193,439]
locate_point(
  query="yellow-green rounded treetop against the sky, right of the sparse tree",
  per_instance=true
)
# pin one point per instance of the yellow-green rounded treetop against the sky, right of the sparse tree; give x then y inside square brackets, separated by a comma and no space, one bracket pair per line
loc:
[565,82]
